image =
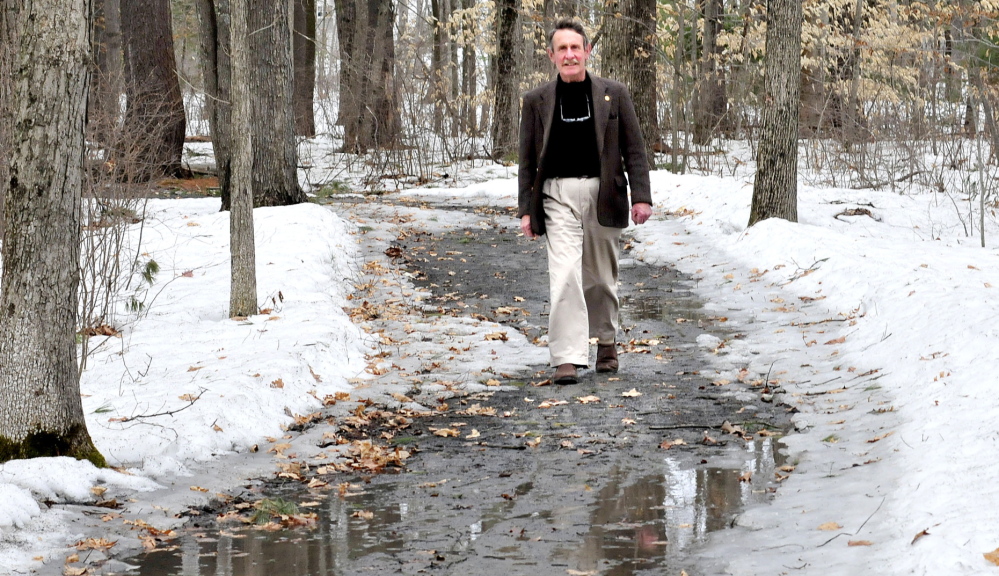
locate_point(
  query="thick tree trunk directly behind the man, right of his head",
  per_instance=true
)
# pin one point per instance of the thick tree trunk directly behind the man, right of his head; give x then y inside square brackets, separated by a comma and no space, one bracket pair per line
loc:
[629,55]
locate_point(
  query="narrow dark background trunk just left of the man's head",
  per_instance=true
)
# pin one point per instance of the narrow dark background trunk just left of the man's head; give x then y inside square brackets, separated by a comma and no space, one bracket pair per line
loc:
[505,100]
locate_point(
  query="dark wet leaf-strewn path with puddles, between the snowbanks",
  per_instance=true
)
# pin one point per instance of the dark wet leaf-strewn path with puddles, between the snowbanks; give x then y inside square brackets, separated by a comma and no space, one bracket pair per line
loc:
[621,474]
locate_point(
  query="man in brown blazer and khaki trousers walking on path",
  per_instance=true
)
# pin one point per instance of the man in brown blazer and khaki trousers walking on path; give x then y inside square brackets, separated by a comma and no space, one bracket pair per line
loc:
[578,135]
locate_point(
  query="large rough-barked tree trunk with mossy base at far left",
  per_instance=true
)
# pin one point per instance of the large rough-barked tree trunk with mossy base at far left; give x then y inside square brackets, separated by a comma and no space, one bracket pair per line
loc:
[40,409]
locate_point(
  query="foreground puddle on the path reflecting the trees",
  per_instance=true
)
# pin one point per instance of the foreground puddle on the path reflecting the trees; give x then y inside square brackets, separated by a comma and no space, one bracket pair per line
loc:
[632,523]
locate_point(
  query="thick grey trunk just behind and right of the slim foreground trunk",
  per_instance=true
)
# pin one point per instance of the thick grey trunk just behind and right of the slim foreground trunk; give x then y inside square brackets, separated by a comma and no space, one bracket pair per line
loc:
[271,88]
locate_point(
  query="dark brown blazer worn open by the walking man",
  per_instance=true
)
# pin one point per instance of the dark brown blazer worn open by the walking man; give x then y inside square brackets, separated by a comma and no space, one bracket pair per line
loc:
[619,145]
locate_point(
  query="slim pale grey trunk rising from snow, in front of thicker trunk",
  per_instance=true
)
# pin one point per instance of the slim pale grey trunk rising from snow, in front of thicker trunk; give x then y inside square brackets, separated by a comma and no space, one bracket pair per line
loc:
[243,279]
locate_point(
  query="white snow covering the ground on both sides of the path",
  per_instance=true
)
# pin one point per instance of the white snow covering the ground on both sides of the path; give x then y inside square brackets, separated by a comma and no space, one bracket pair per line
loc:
[880,327]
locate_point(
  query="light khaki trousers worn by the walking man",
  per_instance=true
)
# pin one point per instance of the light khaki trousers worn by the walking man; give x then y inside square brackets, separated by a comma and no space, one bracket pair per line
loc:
[582,270]
